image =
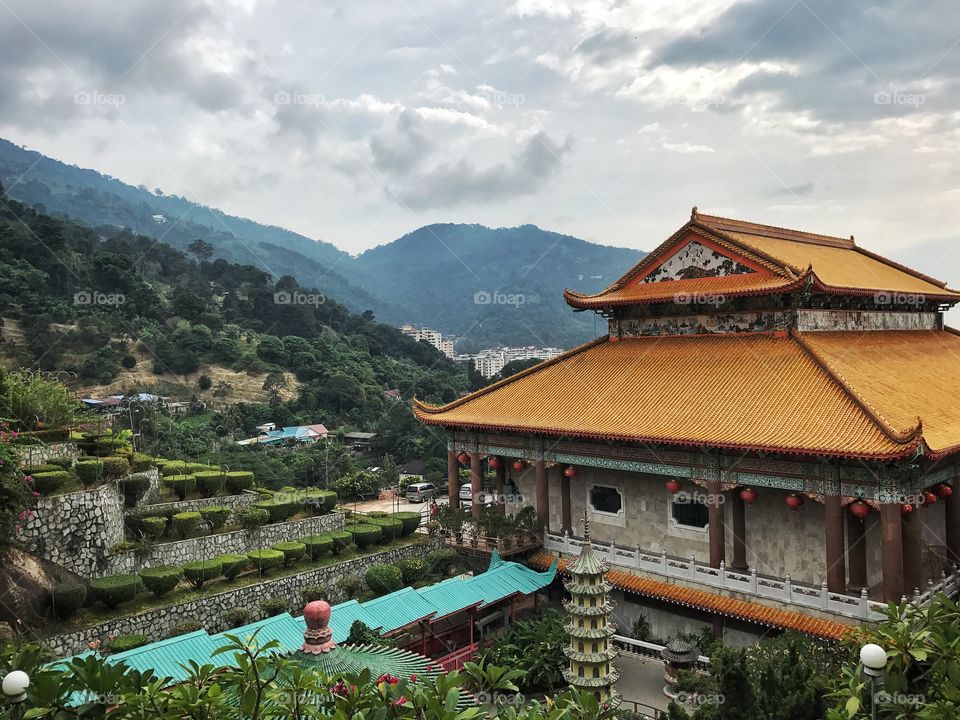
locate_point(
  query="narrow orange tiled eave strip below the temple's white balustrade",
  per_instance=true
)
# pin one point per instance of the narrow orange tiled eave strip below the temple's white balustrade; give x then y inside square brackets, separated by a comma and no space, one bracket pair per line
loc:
[711,602]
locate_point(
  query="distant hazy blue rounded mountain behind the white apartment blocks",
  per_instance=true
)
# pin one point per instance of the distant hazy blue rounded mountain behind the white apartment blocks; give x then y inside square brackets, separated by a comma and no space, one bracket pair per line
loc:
[492,286]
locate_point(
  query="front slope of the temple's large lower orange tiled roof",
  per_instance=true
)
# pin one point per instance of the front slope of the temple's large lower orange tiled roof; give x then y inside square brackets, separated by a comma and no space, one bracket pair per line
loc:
[758,392]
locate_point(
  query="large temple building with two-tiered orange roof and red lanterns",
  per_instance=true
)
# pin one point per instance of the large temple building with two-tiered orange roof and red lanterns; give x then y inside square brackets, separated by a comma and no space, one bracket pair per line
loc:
[766,435]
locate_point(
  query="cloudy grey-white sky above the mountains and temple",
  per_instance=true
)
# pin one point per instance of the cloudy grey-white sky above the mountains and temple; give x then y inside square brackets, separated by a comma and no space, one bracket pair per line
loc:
[356,121]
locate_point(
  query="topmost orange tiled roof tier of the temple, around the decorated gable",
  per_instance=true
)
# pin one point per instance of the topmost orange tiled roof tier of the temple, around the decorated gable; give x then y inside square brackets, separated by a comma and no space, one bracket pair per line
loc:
[785,257]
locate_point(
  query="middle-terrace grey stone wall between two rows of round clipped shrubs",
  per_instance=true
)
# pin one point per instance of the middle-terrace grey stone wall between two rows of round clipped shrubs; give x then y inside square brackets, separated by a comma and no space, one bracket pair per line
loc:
[237,542]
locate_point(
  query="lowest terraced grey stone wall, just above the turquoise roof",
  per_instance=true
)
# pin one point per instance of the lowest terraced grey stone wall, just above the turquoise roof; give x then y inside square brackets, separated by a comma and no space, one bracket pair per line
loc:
[209,611]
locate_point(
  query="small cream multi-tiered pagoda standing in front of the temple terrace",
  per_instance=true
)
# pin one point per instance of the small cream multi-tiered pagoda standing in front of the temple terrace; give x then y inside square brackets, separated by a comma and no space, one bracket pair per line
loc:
[589,628]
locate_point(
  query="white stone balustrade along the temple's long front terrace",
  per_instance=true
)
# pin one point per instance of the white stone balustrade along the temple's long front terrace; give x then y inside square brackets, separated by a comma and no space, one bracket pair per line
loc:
[782,590]
